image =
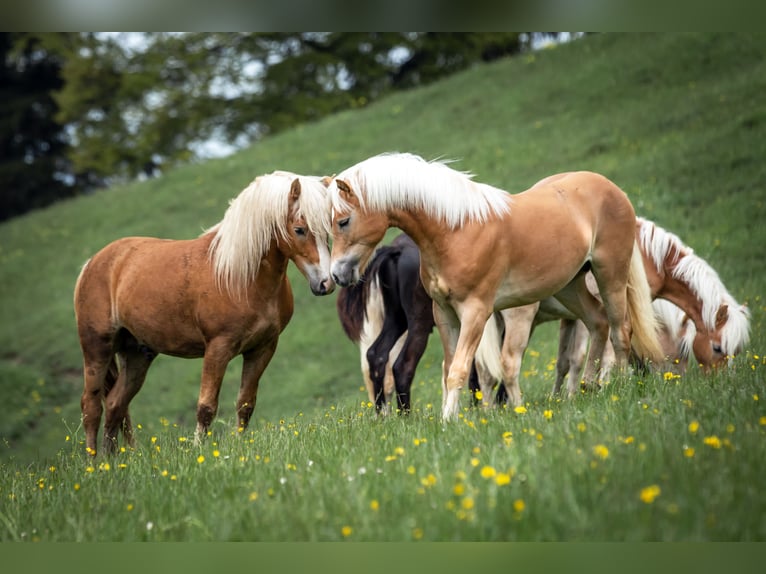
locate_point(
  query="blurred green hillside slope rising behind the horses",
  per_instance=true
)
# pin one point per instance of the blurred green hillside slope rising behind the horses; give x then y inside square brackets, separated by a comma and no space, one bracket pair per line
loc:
[678,121]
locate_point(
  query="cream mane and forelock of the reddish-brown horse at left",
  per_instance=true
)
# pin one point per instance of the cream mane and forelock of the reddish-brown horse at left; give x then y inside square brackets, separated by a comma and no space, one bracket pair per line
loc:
[255,217]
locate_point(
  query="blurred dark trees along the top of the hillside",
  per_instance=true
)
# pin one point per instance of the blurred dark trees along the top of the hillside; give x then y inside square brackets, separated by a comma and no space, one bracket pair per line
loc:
[83,110]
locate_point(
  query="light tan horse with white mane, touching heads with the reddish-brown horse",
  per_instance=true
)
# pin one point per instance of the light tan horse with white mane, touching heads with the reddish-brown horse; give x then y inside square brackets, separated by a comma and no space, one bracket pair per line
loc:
[484,250]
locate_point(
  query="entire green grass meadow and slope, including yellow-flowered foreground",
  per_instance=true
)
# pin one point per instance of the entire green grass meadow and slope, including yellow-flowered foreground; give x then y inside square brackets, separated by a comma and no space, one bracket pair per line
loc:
[678,121]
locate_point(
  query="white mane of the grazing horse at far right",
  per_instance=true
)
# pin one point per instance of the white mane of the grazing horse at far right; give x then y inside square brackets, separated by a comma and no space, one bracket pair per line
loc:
[702,280]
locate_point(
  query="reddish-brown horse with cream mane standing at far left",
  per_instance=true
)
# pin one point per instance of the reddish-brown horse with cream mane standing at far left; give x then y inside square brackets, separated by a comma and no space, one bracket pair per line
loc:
[223,294]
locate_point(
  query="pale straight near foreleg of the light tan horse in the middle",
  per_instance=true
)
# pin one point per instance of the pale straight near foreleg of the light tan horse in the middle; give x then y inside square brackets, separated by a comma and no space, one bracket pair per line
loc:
[473,318]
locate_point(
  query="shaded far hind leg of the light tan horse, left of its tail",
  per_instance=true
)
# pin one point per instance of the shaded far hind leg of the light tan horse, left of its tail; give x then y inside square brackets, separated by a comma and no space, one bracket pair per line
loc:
[576,297]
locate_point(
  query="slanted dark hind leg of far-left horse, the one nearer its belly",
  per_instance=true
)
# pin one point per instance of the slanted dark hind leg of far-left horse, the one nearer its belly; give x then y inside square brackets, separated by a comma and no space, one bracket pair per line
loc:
[134,363]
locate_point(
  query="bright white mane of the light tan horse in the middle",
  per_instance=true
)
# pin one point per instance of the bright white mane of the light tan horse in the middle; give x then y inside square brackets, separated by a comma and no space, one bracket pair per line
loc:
[403,181]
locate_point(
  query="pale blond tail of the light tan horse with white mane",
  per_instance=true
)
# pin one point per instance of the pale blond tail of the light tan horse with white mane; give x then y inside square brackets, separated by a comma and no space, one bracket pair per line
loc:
[643,321]
